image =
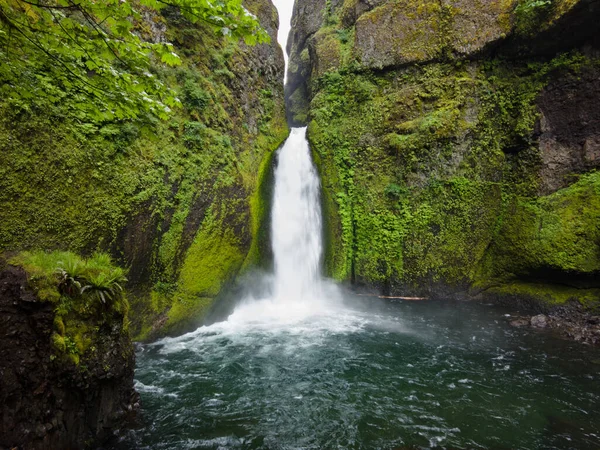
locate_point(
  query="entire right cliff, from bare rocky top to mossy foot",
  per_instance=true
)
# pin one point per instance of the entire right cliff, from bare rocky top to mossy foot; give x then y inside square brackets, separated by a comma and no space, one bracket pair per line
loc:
[457,143]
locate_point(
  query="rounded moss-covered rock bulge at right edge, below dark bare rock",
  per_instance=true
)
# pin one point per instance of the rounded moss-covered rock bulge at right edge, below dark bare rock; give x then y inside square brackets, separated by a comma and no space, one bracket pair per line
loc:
[557,232]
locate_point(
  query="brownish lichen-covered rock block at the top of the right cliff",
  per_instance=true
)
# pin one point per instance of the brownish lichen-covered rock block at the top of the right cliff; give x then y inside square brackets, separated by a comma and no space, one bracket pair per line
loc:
[400,33]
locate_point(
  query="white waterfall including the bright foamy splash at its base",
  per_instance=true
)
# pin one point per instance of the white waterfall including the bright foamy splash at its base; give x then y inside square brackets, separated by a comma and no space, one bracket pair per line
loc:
[296,291]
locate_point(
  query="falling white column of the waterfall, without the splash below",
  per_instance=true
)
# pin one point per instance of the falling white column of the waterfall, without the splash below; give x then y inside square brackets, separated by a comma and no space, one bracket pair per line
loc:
[296,222]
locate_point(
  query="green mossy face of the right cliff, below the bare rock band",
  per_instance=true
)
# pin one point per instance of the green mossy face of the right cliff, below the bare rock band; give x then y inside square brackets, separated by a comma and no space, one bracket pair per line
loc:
[420,166]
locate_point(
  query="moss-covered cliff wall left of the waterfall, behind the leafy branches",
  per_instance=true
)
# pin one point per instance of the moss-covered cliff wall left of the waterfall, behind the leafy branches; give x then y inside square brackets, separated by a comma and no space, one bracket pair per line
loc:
[177,202]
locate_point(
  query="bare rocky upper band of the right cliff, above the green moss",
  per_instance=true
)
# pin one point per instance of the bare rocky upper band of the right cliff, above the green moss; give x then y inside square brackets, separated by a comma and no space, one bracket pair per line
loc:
[384,34]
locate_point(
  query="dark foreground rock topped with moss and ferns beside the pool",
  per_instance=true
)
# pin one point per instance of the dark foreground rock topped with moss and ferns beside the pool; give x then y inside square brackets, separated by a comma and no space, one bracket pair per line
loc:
[67,360]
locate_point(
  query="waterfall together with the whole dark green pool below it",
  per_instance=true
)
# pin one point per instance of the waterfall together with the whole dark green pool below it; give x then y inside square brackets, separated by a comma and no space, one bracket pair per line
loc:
[301,365]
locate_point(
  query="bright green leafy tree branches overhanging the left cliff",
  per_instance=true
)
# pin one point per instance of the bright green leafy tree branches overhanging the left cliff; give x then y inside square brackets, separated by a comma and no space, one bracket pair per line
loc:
[91,54]
